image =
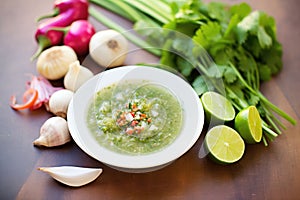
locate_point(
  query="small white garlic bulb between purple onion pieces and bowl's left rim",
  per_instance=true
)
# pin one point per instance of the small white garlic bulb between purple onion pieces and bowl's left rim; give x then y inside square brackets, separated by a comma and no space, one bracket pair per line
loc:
[59,102]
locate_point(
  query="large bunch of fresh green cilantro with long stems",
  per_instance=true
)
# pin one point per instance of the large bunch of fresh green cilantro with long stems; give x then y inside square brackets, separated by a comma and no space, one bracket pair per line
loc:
[215,46]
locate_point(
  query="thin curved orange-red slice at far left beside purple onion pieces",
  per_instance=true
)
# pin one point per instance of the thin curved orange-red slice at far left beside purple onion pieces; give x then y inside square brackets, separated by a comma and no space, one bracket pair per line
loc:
[28,103]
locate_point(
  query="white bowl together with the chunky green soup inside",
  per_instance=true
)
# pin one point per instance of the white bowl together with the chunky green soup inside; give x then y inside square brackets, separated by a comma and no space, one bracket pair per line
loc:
[135,118]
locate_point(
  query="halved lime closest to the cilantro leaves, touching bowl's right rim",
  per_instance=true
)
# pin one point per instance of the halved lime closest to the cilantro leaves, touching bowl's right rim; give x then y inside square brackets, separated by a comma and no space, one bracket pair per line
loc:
[217,106]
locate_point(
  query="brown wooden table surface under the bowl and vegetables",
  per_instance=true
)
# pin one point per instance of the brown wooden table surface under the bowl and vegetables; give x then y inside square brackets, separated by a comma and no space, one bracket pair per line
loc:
[264,172]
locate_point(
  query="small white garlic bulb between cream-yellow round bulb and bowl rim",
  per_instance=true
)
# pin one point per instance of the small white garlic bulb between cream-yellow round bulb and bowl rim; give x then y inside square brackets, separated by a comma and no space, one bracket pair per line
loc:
[76,76]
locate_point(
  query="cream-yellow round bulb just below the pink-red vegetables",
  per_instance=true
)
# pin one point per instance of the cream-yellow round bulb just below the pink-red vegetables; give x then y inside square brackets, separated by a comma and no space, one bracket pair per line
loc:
[53,63]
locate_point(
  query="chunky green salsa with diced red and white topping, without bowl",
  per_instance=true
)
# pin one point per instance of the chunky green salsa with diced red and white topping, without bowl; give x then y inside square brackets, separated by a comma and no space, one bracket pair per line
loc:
[135,117]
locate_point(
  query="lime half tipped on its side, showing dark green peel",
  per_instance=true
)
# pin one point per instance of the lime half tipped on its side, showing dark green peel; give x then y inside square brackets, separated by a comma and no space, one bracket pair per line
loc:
[249,125]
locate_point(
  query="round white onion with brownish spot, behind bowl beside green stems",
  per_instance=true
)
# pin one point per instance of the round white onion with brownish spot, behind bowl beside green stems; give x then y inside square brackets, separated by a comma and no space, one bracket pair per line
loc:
[108,48]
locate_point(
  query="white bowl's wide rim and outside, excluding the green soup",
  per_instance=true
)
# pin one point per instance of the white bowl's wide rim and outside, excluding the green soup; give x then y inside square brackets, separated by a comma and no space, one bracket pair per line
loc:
[193,119]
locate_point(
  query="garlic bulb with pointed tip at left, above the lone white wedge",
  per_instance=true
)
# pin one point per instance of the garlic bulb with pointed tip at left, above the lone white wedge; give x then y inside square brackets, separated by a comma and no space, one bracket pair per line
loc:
[54,132]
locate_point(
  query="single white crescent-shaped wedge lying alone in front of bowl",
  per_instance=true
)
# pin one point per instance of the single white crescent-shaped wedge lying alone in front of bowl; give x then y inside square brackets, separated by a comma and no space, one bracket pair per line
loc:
[72,176]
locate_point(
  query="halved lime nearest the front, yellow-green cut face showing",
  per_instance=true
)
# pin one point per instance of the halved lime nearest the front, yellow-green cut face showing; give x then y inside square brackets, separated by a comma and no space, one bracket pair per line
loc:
[224,145]
